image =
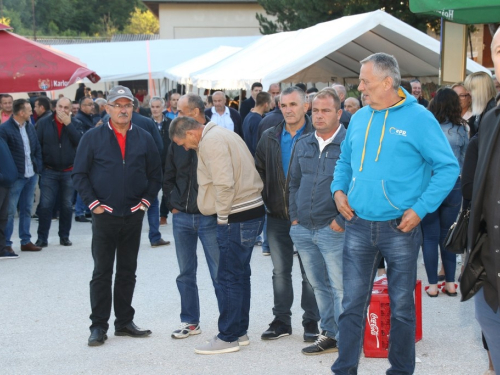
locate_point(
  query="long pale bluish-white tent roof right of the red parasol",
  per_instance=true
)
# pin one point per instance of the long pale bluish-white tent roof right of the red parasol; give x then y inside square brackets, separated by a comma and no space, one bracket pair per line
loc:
[122,61]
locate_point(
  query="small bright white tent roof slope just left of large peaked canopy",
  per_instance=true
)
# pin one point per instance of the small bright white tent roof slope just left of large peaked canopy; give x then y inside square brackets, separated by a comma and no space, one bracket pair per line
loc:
[181,73]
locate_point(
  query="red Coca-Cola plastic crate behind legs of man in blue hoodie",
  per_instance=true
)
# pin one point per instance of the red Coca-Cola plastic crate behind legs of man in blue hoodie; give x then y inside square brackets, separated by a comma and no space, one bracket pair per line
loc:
[378,320]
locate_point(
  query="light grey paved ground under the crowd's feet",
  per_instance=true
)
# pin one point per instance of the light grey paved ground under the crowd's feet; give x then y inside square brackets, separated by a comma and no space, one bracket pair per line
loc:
[45,307]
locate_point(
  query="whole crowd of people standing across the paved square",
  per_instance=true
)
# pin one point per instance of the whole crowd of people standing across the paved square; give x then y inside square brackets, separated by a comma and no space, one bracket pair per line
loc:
[354,186]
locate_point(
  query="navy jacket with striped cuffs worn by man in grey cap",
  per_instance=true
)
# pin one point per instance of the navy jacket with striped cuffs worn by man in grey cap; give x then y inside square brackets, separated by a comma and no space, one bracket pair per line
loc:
[119,185]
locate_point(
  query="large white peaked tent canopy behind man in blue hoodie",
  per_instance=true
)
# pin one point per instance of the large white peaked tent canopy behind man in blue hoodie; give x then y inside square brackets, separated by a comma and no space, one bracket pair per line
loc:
[326,52]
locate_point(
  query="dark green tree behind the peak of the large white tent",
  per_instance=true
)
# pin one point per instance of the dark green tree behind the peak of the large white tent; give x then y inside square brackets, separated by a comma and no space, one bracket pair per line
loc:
[298,14]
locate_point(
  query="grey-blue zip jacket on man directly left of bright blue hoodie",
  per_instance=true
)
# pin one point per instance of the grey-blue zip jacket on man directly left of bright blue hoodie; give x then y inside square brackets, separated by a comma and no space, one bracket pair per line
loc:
[311,174]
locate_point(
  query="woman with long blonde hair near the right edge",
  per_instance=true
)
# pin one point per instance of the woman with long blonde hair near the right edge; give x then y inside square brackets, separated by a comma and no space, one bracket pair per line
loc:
[482,90]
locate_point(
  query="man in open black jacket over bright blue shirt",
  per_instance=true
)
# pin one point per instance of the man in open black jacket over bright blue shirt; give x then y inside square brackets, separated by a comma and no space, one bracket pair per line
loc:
[274,153]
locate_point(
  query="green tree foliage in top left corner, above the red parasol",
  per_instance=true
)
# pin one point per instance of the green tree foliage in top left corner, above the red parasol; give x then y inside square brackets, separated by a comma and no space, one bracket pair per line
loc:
[71,17]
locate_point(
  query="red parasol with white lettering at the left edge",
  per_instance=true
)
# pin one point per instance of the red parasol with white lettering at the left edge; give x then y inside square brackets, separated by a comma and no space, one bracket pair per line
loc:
[27,66]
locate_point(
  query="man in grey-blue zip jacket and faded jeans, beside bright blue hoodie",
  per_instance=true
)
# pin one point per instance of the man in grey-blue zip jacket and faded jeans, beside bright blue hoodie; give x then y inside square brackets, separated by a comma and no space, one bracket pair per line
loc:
[317,225]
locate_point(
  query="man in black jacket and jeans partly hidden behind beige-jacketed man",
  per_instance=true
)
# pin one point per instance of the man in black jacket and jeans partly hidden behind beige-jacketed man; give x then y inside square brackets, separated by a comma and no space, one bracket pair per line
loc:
[180,188]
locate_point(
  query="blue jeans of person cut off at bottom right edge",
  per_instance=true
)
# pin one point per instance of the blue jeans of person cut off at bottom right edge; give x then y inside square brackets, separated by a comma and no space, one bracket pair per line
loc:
[489,321]
